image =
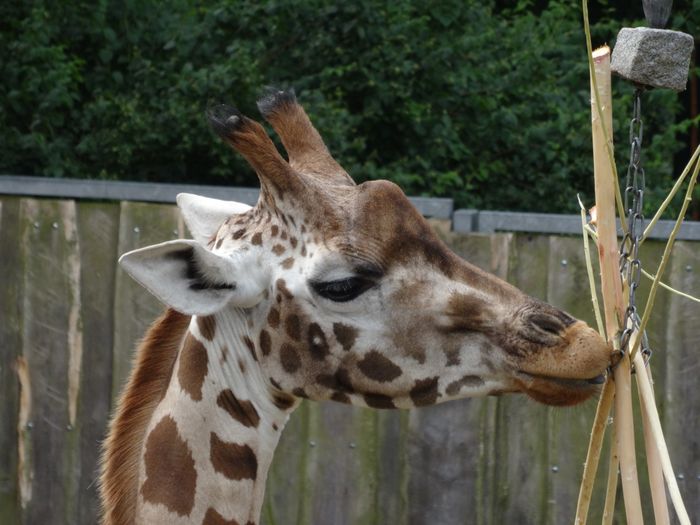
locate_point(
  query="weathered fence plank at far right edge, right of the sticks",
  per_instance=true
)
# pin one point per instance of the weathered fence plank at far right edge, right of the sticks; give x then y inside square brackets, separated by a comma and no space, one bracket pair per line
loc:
[682,419]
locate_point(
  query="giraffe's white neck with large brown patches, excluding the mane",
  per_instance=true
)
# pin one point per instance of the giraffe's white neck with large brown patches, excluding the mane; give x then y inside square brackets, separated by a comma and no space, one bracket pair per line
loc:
[212,438]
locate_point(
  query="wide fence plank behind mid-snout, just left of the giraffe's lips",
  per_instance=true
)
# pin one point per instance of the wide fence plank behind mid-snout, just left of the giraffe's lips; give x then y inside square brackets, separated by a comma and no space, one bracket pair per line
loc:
[453,434]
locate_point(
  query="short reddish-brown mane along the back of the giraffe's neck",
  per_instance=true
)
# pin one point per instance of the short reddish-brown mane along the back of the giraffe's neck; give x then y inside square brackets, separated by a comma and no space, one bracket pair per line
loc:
[153,366]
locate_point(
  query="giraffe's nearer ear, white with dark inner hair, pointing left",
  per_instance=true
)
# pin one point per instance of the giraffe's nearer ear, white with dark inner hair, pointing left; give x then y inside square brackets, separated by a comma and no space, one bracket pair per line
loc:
[189,278]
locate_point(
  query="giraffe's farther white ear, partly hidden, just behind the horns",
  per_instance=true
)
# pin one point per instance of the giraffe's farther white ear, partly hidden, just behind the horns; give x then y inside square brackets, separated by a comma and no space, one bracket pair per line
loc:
[204,216]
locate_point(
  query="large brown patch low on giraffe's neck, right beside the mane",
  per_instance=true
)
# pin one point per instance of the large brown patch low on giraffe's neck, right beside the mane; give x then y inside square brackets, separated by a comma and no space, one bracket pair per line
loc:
[171,478]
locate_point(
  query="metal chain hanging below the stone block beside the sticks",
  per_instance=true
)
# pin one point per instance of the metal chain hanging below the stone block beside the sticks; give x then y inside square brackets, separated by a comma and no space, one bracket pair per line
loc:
[630,265]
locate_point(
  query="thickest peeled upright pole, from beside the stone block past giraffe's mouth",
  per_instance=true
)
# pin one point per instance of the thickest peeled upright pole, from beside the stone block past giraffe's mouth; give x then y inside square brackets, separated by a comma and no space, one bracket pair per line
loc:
[605,183]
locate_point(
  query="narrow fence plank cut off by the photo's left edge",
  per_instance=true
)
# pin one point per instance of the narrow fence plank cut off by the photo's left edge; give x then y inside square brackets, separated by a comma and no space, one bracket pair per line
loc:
[10,348]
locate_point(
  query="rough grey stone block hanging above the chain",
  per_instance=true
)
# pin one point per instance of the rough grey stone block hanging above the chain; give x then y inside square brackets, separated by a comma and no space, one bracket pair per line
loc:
[653,57]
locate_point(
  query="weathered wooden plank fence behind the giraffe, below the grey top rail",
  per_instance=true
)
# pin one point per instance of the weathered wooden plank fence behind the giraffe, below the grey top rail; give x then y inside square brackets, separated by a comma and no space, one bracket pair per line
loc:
[70,319]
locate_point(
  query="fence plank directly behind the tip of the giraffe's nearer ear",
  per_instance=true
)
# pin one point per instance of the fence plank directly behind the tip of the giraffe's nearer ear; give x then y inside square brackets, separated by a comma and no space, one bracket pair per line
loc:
[134,308]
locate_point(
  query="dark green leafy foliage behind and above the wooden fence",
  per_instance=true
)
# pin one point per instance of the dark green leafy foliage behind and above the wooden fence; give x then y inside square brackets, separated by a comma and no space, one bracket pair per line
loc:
[483,103]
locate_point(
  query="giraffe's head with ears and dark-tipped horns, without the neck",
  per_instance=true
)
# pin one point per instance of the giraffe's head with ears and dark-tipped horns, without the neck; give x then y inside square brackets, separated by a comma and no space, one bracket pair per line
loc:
[348,293]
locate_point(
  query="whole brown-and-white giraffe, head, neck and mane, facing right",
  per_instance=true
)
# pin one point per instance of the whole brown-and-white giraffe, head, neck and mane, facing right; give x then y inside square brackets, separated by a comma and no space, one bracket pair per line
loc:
[324,290]
